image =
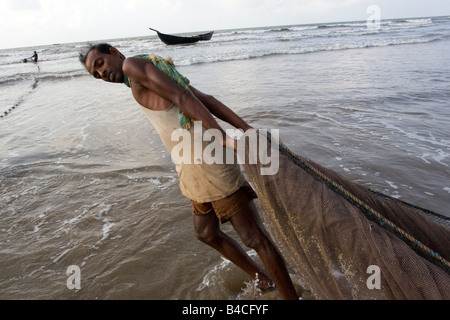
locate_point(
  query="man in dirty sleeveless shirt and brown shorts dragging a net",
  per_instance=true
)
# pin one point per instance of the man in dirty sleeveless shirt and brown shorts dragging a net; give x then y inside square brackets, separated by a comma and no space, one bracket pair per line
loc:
[218,193]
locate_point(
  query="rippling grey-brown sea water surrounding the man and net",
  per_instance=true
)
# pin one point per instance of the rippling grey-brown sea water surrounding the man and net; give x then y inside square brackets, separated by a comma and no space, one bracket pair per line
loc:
[90,206]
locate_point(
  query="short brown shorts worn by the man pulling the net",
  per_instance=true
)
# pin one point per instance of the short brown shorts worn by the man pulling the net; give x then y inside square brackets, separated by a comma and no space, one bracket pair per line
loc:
[227,207]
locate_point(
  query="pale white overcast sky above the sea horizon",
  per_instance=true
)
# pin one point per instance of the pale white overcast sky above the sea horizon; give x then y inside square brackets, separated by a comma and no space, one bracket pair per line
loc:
[27,23]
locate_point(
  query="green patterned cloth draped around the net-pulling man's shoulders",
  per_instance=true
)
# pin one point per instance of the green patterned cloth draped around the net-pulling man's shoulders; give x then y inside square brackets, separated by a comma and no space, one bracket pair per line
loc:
[168,68]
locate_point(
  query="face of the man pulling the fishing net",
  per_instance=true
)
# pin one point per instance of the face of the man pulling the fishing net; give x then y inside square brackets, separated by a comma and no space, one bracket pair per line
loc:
[107,67]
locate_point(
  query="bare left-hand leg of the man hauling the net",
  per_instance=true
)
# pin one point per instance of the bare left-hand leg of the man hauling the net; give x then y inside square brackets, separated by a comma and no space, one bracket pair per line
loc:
[207,230]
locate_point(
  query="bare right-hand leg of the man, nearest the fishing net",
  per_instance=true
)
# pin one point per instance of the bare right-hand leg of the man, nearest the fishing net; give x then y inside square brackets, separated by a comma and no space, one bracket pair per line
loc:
[250,228]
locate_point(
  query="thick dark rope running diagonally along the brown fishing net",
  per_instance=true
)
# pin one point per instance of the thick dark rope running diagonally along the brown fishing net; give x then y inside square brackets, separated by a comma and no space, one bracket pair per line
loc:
[382,221]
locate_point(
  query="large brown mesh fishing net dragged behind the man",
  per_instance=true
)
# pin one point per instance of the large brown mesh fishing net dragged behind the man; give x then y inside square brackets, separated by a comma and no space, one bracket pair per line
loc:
[340,237]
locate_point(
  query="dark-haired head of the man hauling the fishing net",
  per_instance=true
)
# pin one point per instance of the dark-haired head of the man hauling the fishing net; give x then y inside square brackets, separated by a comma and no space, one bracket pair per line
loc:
[104,62]
